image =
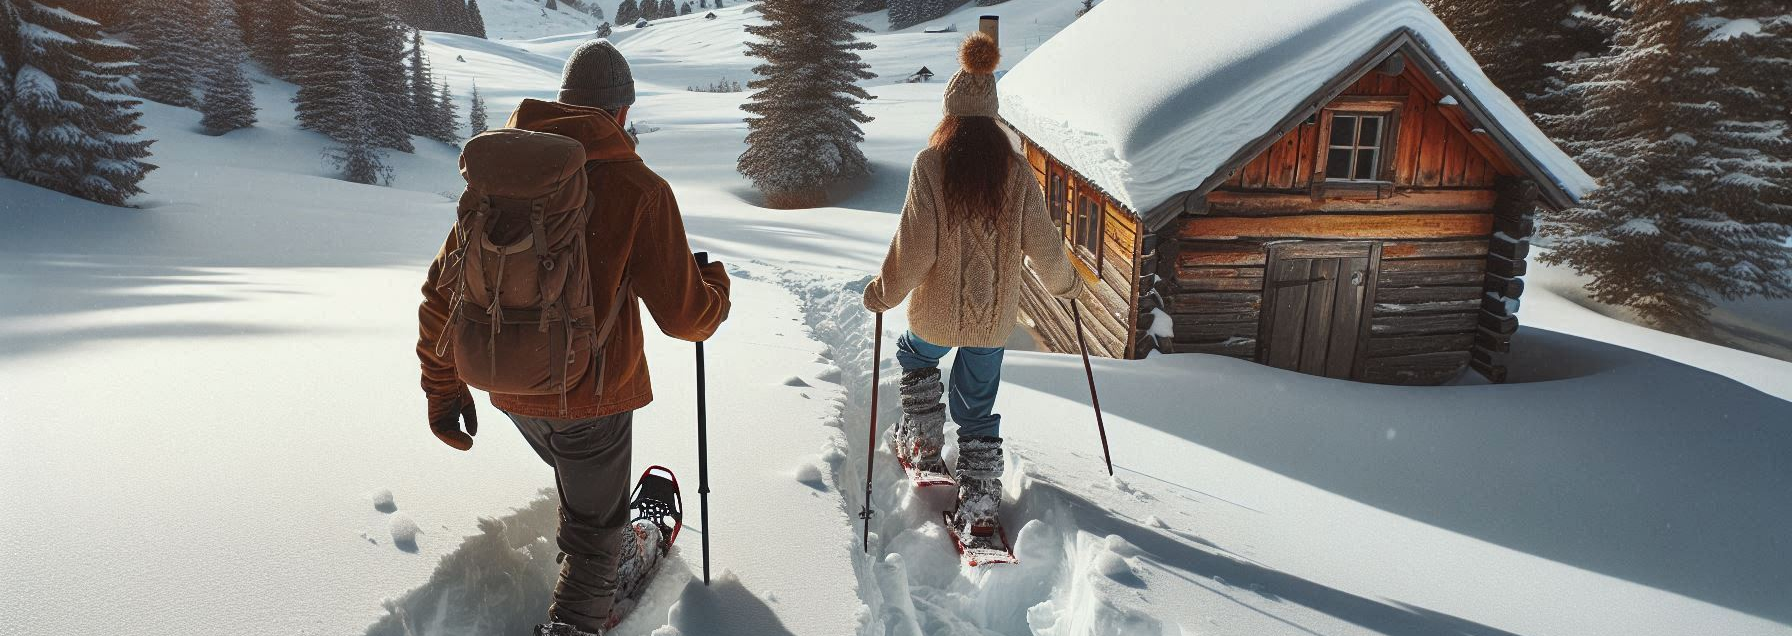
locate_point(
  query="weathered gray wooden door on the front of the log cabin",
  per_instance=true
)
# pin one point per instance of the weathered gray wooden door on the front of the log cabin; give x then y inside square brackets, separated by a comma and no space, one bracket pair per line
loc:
[1318,307]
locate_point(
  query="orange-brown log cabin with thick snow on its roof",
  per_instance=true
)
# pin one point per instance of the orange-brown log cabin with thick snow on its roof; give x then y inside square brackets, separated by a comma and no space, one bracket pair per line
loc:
[1331,189]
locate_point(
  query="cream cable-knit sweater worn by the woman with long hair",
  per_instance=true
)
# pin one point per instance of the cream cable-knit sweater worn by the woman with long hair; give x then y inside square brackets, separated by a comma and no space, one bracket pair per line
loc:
[965,280]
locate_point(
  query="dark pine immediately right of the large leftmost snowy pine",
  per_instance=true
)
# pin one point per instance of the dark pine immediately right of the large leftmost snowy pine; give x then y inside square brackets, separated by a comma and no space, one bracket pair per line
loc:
[171,51]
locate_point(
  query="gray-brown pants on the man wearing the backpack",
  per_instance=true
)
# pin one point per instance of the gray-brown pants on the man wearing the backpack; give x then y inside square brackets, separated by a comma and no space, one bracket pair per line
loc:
[590,463]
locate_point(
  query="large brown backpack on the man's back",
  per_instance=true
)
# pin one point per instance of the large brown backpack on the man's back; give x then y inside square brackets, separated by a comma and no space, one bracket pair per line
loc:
[522,318]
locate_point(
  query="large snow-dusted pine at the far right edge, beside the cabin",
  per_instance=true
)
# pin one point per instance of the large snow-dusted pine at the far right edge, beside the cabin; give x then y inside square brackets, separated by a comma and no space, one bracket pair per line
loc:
[1685,126]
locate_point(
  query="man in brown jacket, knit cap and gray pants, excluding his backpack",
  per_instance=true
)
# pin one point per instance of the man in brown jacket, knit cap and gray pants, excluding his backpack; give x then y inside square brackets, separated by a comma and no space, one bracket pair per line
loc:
[635,230]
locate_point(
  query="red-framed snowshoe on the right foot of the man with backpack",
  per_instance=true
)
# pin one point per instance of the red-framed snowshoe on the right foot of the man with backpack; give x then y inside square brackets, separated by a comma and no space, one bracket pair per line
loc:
[659,515]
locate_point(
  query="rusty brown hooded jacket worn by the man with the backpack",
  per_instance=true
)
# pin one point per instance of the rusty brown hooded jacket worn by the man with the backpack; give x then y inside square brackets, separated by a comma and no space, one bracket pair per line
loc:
[635,227]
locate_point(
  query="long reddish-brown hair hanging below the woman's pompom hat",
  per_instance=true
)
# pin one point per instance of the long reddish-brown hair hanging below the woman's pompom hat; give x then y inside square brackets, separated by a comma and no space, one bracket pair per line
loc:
[978,164]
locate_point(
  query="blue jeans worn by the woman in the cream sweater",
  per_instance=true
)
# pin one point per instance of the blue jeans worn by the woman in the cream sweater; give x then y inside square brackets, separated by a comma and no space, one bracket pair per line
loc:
[972,391]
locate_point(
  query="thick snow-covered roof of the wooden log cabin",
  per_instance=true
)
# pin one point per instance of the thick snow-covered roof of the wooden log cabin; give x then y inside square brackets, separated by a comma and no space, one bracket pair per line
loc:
[1150,99]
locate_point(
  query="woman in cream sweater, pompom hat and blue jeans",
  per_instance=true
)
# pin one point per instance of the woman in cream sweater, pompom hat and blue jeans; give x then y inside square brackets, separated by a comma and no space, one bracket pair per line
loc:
[974,214]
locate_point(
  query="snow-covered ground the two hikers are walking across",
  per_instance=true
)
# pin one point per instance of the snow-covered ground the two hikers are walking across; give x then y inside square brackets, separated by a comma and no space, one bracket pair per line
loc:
[211,425]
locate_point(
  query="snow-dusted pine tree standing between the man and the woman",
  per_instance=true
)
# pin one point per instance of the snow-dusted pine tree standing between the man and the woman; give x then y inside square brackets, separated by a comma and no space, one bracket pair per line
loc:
[804,133]
